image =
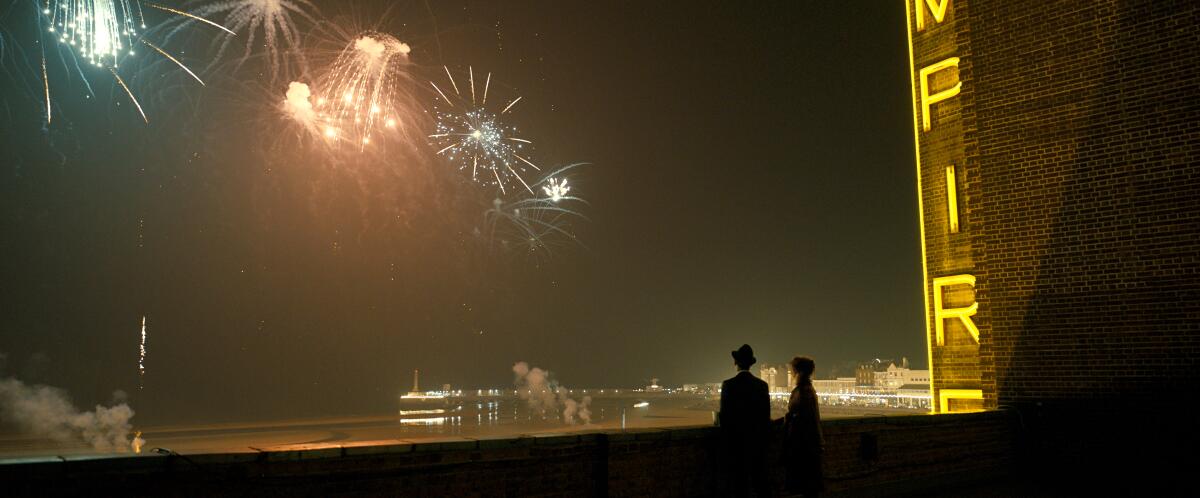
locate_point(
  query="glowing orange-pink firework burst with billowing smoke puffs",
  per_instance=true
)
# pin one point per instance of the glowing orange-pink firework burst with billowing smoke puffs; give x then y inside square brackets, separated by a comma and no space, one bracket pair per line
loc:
[365,95]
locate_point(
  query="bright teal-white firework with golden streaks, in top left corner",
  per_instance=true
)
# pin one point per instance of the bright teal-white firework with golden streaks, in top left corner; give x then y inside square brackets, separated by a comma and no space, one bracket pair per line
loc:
[103,33]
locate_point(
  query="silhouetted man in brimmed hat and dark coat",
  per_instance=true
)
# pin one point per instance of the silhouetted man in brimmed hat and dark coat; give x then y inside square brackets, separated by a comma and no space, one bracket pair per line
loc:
[746,427]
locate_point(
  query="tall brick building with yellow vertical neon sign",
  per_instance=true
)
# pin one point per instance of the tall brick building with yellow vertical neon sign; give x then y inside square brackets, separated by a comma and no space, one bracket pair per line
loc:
[1060,211]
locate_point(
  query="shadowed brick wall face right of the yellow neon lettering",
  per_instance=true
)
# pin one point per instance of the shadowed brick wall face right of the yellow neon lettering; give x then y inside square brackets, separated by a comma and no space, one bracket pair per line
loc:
[1089,155]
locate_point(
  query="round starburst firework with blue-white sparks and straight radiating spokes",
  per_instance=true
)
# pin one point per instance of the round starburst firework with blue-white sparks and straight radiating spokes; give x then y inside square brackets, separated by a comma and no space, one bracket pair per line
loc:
[473,137]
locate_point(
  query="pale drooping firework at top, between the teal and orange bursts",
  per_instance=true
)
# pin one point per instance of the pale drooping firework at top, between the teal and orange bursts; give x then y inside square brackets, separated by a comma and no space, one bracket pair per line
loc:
[274,21]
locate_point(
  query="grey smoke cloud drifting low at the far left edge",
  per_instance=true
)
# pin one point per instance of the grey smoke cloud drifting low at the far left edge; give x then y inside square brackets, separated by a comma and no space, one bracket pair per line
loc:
[47,412]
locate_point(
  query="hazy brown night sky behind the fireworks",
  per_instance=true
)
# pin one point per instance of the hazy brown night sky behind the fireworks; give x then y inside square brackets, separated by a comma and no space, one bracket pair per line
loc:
[751,179]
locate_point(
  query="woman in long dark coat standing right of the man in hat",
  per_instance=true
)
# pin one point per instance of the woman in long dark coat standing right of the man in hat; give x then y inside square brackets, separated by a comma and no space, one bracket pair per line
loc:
[803,443]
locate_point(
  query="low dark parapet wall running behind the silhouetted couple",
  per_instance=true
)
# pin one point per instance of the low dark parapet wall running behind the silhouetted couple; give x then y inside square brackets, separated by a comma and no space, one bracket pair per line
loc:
[865,457]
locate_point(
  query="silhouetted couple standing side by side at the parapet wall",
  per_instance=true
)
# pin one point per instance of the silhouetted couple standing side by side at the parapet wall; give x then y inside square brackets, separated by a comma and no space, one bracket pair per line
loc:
[747,431]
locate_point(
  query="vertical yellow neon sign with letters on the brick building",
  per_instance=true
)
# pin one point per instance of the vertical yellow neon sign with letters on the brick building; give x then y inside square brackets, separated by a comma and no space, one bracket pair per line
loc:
[950,284]
